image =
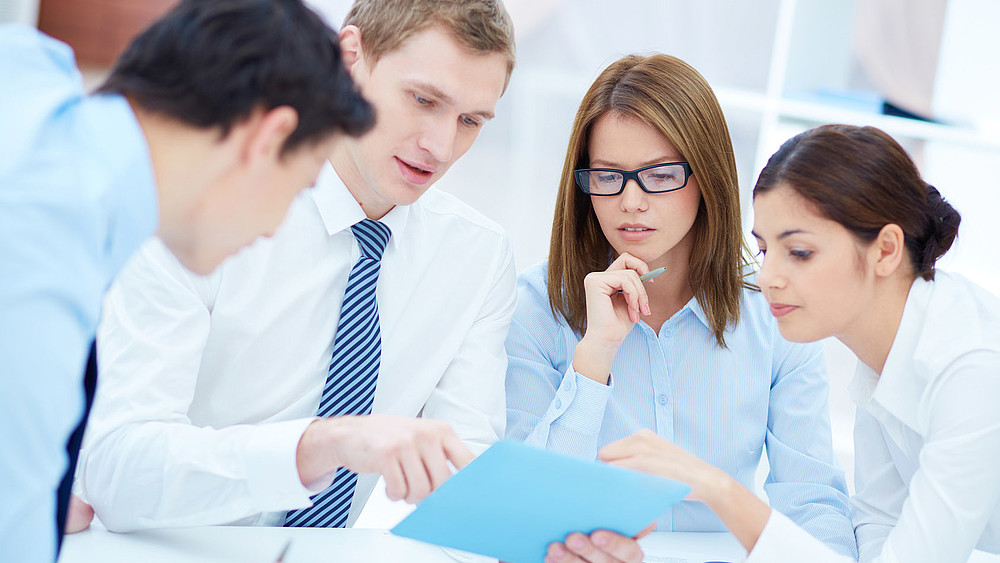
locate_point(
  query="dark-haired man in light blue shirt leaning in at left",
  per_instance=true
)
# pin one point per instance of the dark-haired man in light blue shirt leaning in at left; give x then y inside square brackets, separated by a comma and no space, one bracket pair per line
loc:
[211,122]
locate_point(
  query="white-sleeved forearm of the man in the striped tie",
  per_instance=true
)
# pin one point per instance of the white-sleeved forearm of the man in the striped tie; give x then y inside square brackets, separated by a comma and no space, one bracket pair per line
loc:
[158,474]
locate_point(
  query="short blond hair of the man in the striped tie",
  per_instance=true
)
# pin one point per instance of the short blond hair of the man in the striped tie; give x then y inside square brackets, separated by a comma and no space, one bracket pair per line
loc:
[483,26]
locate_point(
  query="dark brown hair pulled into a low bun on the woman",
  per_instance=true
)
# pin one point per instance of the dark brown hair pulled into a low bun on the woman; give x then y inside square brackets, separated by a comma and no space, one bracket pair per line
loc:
[861,178]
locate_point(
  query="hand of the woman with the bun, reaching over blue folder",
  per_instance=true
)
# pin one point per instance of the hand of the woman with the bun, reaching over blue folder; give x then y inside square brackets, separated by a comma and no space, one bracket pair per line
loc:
[648,452]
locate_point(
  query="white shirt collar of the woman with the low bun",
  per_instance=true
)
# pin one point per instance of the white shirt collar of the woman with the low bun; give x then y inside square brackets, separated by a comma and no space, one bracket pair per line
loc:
[899,388]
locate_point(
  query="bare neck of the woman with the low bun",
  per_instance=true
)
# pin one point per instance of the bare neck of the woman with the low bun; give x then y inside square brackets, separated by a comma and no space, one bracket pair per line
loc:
[871,335]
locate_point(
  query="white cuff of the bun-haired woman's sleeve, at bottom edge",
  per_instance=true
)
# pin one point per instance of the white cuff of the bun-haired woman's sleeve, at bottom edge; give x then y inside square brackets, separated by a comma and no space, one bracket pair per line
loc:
[782,540]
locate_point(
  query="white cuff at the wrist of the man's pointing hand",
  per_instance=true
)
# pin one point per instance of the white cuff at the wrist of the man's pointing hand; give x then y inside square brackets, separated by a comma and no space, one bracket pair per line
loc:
[273,473]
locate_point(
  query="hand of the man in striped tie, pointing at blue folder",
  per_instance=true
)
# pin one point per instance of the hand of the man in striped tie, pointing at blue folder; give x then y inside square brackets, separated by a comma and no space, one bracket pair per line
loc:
[412,454]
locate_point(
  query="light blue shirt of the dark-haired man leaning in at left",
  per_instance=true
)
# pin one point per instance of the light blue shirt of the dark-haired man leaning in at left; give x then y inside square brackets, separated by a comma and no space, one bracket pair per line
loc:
[77,197]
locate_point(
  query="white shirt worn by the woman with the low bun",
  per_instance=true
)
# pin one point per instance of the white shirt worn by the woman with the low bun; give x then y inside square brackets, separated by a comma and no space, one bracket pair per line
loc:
[927,438]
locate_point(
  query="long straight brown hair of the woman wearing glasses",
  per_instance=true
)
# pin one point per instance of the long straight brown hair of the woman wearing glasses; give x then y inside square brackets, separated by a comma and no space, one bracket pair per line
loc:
[672,97]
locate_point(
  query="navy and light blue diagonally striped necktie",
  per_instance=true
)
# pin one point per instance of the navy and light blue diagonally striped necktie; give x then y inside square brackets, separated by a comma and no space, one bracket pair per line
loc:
[350,384]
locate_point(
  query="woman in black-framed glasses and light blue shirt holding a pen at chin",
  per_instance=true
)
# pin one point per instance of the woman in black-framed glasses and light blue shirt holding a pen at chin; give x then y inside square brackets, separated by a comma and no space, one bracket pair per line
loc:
[694,355]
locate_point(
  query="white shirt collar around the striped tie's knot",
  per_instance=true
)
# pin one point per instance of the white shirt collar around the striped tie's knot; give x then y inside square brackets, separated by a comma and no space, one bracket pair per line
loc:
[339,210]
